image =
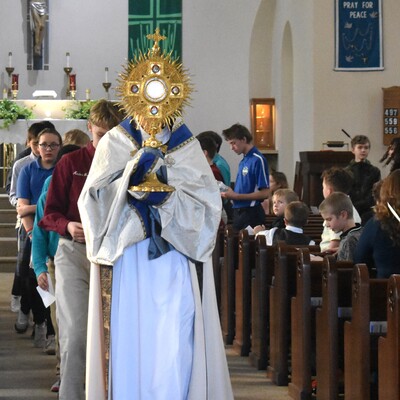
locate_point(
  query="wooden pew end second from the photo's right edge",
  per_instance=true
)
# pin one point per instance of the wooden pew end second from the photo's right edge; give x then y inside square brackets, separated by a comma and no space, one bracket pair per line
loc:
[360,345]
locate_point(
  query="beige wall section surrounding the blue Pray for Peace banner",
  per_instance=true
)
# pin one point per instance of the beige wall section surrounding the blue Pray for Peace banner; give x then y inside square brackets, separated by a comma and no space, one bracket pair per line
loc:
[353,100]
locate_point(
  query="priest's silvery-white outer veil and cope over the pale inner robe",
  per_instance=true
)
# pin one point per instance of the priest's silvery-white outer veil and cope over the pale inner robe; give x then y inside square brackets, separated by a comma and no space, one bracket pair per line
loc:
[189,219]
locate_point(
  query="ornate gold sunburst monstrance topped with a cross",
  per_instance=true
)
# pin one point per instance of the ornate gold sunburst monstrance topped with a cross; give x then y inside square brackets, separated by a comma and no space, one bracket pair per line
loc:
[153,90]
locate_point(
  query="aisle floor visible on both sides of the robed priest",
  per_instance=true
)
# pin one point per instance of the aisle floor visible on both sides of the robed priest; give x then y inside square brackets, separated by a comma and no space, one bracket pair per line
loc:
[28,373]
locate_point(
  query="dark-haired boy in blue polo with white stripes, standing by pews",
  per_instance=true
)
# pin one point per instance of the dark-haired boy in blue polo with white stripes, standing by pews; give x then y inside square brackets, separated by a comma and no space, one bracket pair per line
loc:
[252,180]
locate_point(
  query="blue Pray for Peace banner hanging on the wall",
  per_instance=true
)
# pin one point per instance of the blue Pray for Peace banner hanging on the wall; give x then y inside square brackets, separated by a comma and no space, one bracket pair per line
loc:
[359,35]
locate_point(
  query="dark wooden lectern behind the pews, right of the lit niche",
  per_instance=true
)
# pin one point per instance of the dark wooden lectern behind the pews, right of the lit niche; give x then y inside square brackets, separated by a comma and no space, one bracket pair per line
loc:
[307,181]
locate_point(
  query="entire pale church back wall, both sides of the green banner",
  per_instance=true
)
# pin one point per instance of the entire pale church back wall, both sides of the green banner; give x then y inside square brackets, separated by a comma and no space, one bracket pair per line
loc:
[234,50]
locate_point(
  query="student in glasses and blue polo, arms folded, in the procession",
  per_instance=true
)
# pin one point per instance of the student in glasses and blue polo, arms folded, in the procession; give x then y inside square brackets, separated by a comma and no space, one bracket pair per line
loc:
[29,187]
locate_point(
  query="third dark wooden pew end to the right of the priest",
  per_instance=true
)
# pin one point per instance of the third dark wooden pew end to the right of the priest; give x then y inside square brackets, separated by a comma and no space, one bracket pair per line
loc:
[261,281]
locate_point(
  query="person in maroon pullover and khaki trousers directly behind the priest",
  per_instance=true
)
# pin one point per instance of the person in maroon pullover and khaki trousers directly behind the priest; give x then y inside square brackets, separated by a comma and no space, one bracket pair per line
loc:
[72,266]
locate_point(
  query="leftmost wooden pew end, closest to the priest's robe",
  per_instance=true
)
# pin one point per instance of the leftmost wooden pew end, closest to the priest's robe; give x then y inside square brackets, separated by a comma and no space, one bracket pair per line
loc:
[228,284]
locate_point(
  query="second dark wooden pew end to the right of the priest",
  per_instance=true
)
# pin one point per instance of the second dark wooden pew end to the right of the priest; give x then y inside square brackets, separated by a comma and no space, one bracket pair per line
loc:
[243,274]
